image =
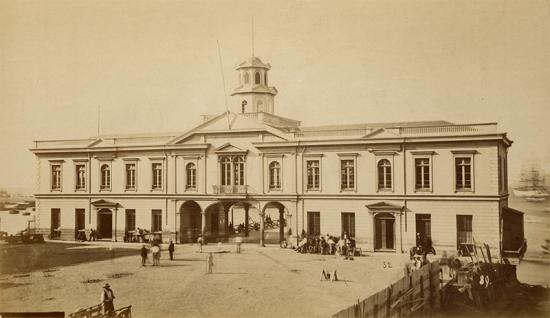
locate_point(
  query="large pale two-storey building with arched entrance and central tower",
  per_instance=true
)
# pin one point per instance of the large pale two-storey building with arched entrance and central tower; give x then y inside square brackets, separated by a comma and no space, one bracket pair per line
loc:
[380,183]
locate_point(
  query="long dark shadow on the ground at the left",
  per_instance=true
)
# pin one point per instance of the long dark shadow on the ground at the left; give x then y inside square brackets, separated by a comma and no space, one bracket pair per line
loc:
[24,258]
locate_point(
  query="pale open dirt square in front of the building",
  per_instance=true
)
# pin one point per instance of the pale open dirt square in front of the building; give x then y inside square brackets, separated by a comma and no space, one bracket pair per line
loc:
[269,281]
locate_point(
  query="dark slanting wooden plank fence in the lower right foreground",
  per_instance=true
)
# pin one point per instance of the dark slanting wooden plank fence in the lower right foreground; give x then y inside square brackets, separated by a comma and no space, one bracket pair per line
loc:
[418,292]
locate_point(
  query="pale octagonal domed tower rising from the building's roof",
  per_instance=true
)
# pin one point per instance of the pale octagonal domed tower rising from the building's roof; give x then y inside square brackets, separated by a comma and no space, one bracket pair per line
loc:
[253,91]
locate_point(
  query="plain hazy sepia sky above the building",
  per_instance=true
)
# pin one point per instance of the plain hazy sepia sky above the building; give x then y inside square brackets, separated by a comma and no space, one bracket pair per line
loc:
[153,66]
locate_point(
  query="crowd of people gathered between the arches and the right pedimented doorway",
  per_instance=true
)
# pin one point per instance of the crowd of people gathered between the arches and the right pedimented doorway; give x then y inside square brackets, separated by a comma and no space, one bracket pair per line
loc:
[329,245]
